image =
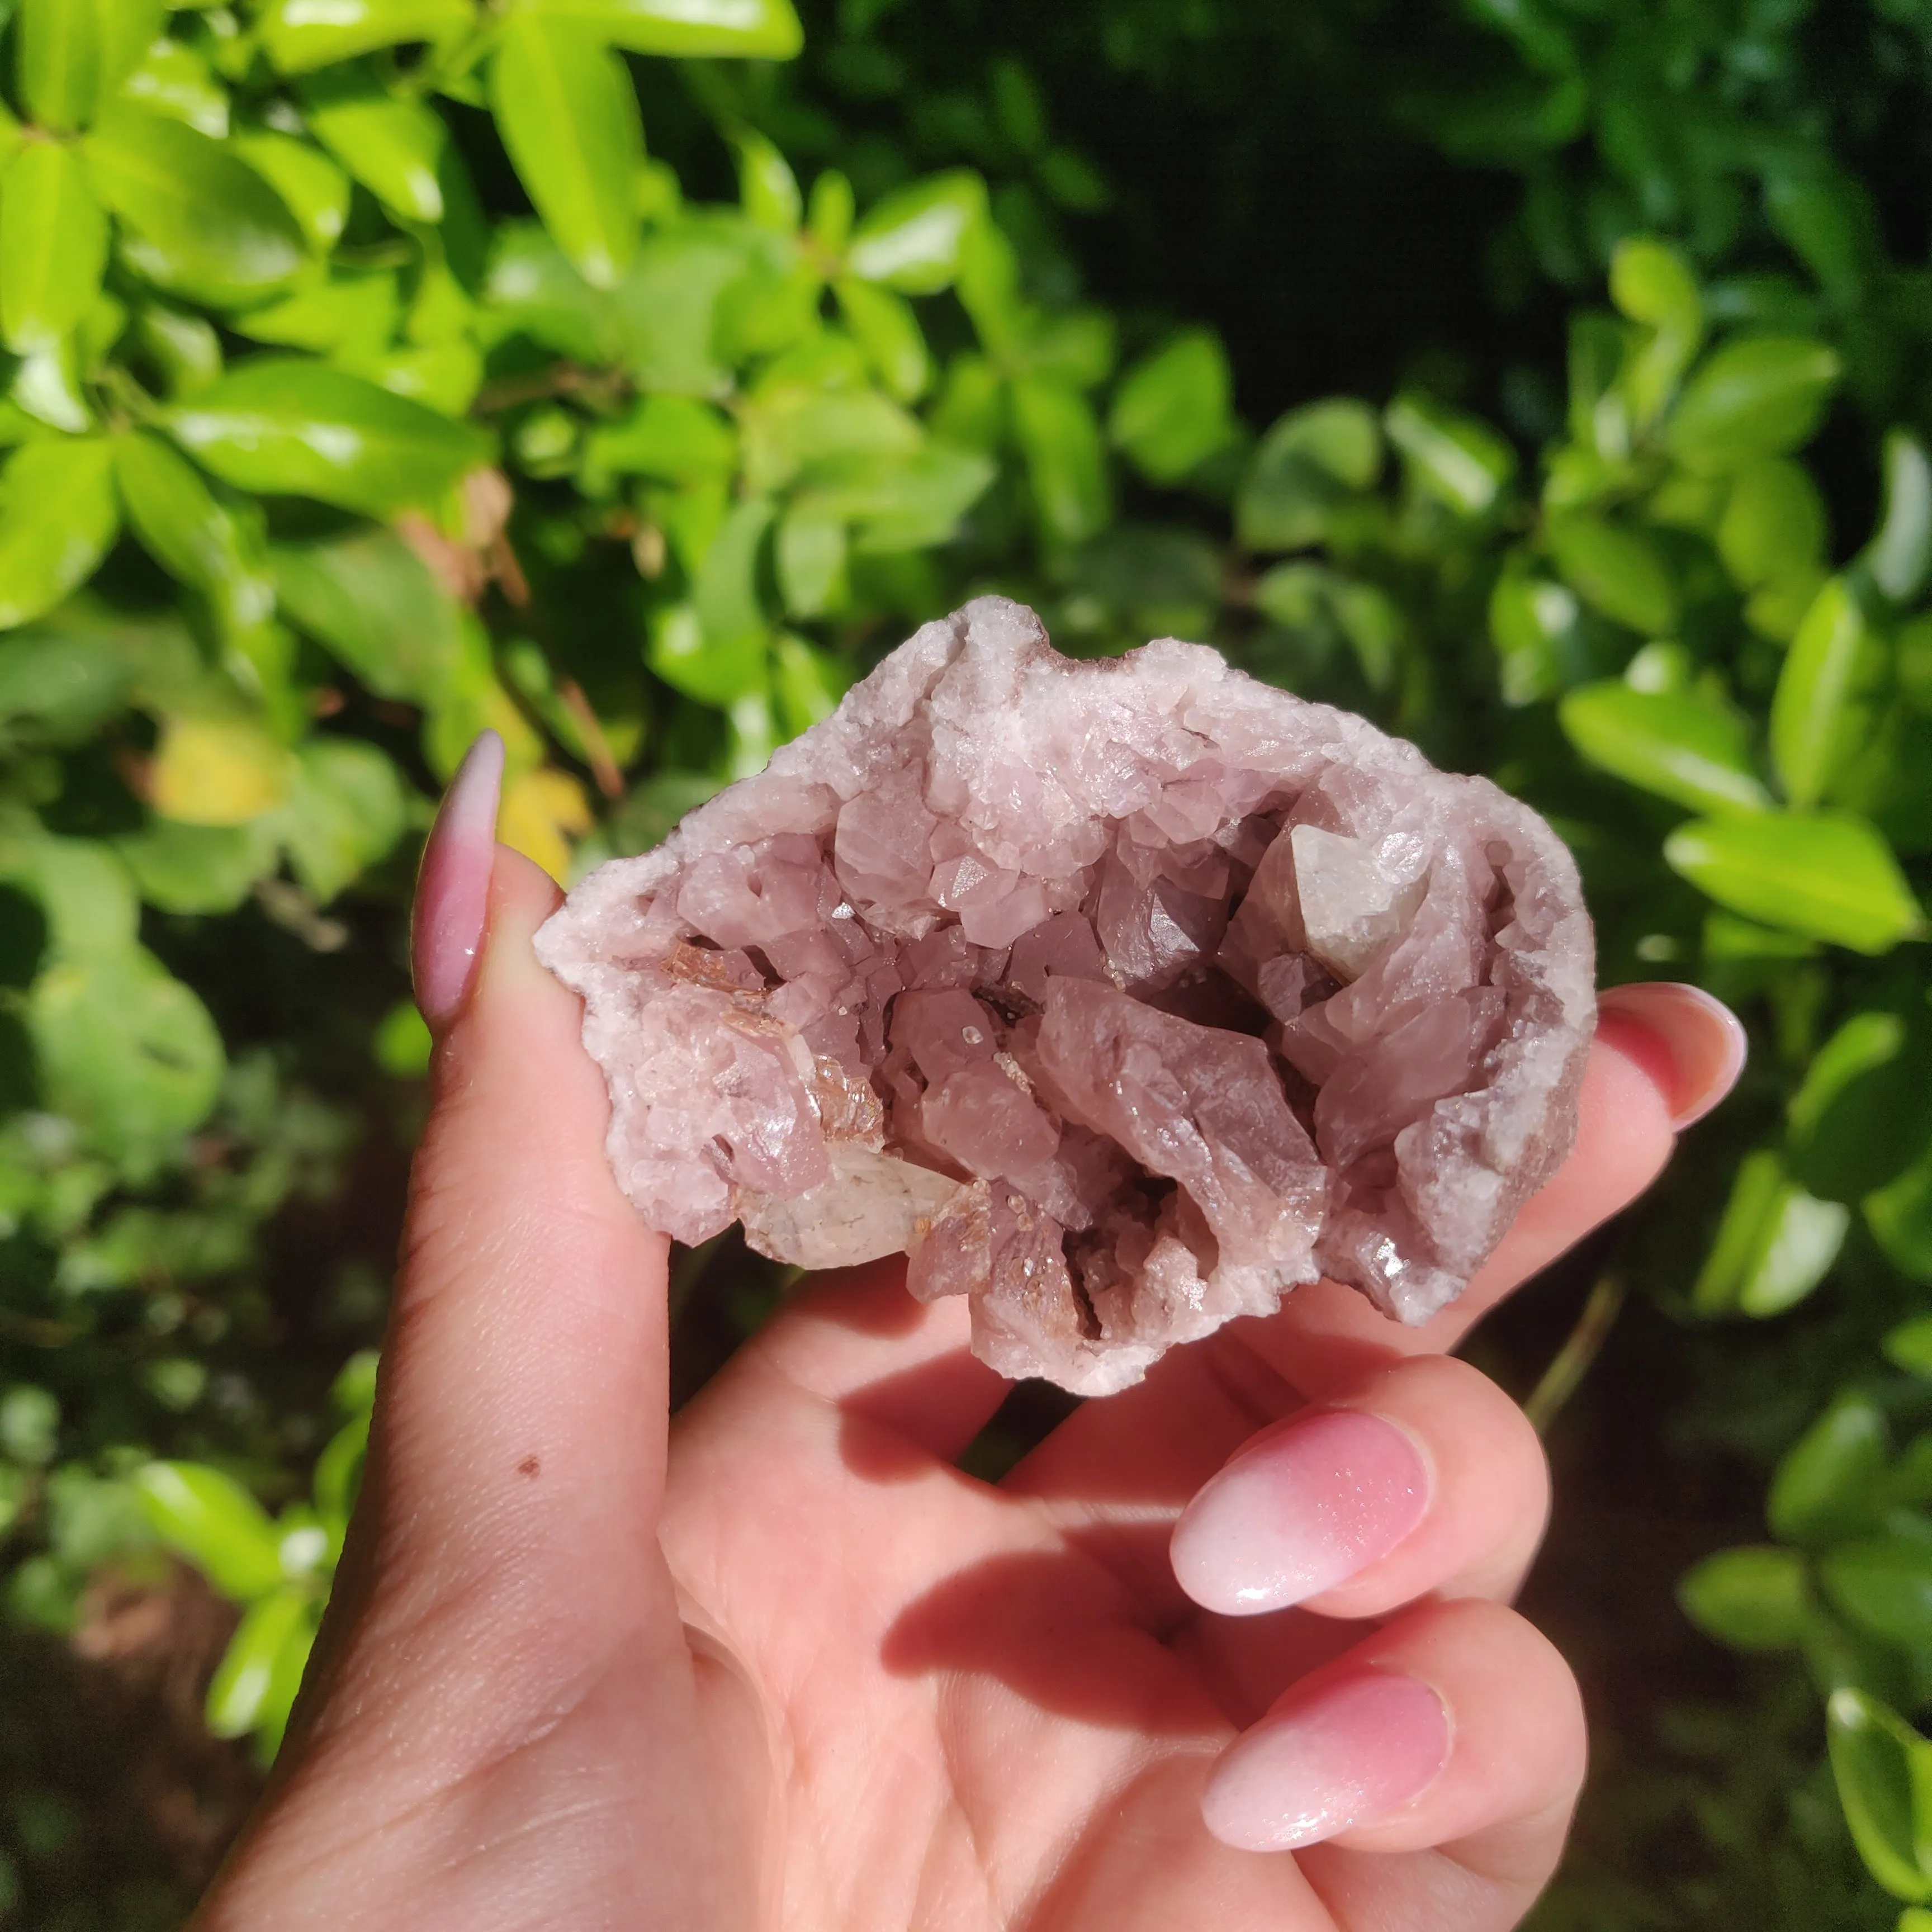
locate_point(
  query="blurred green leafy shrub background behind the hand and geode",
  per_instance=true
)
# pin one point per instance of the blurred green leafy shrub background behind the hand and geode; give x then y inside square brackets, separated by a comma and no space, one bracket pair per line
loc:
[1547,380]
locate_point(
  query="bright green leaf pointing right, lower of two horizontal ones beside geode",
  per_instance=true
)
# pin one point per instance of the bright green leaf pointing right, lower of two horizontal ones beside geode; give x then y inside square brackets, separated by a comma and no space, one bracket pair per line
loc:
[1827,874]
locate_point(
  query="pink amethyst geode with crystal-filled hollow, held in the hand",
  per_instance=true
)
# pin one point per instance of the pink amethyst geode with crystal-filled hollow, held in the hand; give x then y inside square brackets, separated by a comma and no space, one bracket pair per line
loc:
[1120,996]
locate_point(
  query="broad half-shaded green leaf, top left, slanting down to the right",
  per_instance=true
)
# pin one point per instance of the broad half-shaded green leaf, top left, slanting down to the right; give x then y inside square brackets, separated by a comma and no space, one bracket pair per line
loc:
[202,221]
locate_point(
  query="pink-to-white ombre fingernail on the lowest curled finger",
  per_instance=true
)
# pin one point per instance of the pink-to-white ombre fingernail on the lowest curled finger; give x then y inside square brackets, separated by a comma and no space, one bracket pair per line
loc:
[1346,1755]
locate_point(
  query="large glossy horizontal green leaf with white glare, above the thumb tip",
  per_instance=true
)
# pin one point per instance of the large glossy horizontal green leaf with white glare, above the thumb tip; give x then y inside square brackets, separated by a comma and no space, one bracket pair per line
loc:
[281,426]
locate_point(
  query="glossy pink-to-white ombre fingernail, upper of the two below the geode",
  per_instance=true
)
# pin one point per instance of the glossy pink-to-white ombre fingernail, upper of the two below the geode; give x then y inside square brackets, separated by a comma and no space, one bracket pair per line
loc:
[1299,1514]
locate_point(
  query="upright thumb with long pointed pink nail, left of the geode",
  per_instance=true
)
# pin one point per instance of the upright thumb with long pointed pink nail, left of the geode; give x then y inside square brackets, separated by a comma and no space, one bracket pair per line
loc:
[523,1406]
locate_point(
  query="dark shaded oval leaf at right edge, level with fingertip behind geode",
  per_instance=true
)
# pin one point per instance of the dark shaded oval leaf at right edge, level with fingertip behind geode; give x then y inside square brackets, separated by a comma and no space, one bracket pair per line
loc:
[1863,1112]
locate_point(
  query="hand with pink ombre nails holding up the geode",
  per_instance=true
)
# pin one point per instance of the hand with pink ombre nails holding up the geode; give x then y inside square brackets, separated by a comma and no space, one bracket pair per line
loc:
[780,1664]
